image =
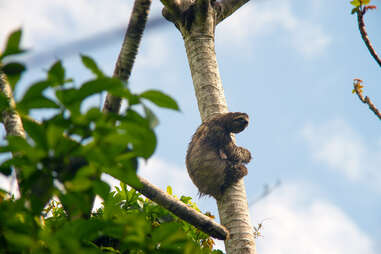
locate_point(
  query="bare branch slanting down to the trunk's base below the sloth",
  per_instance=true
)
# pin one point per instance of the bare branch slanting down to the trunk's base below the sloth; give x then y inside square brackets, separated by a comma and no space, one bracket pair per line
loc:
[181,210]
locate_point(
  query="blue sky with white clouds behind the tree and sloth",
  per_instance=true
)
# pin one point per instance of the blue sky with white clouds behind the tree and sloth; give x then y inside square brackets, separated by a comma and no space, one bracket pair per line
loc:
[290,65]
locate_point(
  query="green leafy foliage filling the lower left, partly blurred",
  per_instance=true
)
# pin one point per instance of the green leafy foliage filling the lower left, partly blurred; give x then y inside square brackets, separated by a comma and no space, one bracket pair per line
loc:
[64,156]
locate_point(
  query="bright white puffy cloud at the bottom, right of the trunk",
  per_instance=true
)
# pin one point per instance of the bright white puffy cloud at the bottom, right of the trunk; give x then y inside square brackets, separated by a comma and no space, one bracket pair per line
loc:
[295,223]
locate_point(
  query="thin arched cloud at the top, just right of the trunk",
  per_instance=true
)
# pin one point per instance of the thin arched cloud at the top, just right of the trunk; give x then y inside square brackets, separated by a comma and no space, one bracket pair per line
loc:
[267,18]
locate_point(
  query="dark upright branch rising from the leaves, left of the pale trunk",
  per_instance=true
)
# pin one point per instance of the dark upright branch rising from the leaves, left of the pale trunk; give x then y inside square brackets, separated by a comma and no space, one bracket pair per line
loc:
[129,50]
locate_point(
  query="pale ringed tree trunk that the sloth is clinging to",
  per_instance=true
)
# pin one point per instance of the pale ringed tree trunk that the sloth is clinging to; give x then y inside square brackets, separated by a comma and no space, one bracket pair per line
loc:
[196,20]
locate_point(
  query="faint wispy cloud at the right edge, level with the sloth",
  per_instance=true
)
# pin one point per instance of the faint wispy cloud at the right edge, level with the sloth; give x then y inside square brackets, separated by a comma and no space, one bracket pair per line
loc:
[336,144]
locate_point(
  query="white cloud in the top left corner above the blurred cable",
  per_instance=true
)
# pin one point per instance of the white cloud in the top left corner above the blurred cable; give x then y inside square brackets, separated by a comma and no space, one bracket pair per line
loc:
[47,22]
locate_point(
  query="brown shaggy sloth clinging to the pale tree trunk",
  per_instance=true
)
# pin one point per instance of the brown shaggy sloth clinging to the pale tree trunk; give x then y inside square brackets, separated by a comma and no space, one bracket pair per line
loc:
[213,161]
